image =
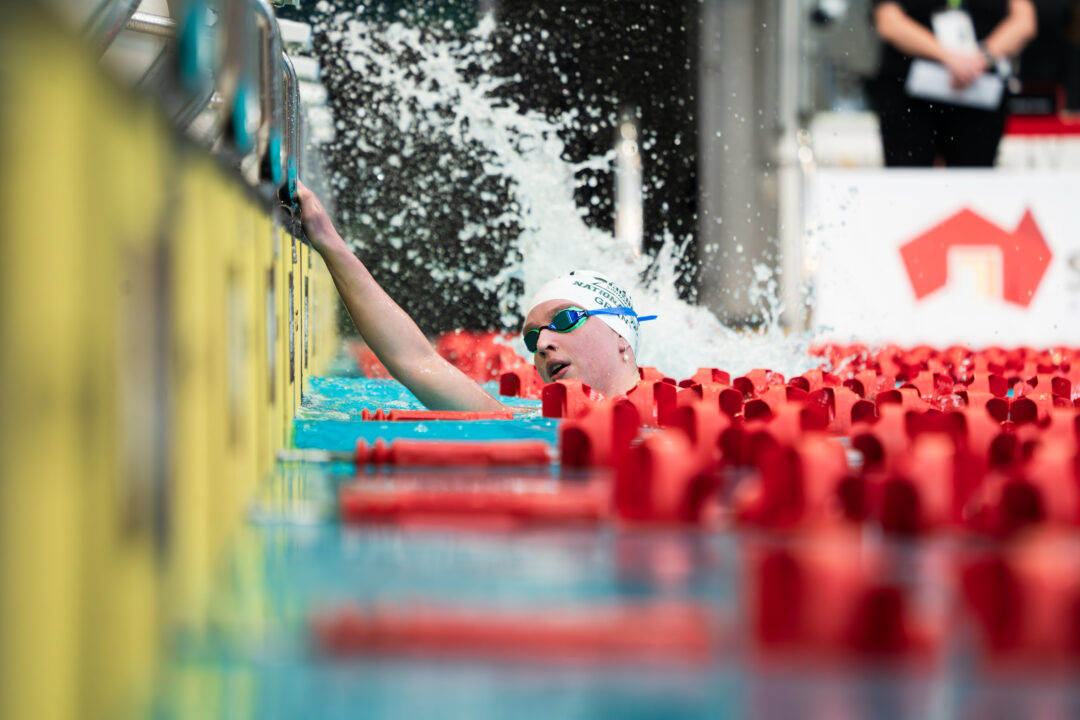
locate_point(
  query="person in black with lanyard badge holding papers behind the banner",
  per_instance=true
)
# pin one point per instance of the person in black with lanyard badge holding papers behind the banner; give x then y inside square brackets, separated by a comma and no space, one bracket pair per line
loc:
[916,132]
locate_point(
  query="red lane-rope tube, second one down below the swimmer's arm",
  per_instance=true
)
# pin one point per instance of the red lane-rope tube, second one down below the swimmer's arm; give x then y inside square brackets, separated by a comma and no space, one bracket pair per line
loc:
[404,452]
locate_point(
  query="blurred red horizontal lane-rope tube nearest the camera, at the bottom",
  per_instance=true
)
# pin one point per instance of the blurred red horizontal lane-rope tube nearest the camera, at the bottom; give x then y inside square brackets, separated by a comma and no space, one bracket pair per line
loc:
[626,634]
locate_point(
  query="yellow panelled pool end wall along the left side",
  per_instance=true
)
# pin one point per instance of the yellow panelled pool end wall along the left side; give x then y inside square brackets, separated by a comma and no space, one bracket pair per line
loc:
[159,325]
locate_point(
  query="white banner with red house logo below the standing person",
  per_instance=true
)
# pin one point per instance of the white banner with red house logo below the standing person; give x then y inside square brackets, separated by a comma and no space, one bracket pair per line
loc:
[939,257]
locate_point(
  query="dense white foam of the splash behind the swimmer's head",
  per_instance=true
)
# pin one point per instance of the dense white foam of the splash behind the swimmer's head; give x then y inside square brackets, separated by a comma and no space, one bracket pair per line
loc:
[526,147]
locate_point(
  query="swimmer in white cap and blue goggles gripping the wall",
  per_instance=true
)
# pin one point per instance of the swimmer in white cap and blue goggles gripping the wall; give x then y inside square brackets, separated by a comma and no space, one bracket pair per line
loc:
[579,327]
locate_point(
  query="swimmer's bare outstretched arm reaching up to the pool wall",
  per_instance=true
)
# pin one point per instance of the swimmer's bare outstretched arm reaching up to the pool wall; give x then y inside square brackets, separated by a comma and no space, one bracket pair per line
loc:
[388,330]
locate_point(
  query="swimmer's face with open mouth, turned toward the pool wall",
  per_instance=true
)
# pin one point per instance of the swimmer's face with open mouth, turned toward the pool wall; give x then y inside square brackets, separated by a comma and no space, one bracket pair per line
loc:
[592,352]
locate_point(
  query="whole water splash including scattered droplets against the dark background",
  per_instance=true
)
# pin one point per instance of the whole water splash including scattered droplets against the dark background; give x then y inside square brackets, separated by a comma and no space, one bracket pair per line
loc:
[437,99]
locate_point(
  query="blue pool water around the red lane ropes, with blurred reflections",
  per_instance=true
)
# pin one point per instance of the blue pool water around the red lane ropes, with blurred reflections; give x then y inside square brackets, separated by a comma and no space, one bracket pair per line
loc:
[293,558]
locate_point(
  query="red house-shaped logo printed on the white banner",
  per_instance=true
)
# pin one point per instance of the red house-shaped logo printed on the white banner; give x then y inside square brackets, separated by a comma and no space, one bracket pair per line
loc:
[1024,254]
